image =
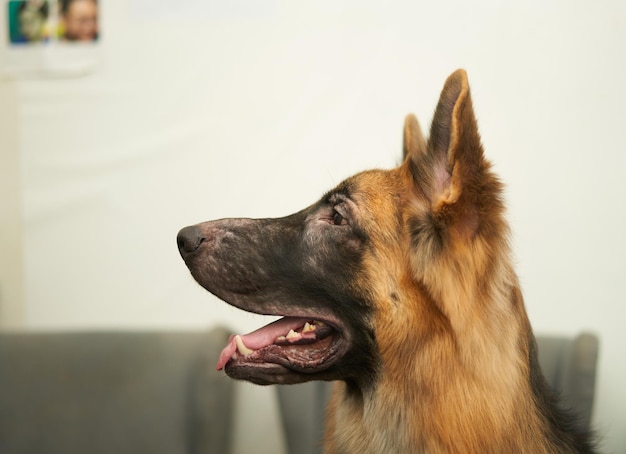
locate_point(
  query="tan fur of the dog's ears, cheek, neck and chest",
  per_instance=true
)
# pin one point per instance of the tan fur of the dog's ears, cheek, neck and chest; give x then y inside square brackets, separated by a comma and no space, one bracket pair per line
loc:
[450,322]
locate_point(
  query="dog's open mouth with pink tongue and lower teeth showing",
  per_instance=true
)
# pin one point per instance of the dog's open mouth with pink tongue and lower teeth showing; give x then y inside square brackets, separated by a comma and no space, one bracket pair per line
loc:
[290,344]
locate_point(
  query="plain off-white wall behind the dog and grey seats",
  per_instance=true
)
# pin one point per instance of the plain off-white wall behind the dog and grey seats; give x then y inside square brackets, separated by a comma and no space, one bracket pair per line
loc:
[232,113]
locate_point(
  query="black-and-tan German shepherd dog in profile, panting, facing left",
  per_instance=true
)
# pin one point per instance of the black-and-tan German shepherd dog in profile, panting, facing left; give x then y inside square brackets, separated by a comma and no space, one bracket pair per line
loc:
[399,285]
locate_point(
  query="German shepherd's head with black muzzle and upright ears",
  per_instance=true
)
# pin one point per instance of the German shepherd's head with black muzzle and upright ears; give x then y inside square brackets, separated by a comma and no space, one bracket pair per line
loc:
[417,252]
